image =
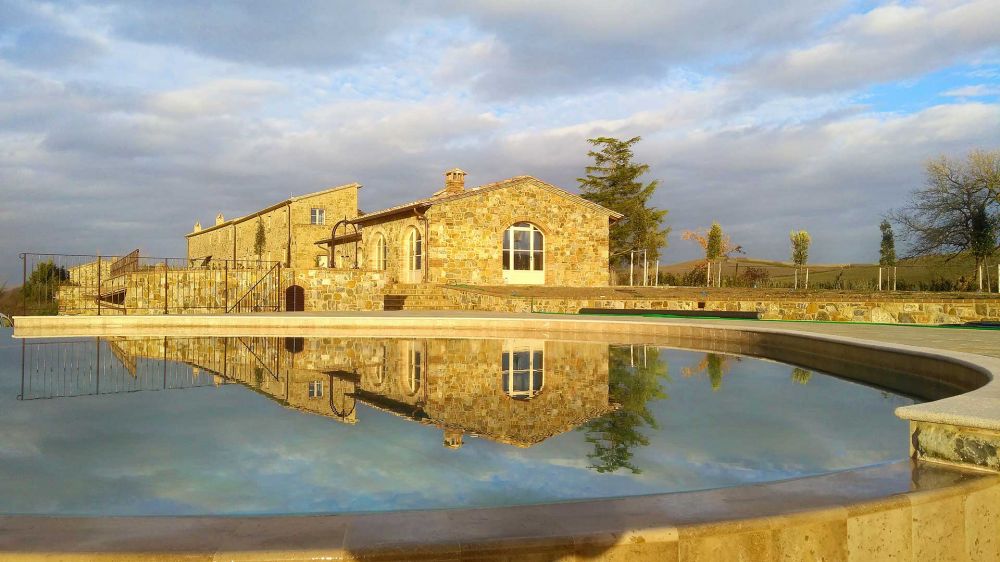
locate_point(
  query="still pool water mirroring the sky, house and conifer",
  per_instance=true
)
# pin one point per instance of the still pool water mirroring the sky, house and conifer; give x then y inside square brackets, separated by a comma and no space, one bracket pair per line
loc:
[252,425]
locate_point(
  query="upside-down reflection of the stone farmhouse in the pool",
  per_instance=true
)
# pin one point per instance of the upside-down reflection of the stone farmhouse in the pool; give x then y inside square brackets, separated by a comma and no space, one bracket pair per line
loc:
[512,391]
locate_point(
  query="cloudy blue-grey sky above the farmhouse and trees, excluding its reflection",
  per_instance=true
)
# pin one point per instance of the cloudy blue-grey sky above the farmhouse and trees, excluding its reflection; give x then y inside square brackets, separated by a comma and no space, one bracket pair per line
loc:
[123,123]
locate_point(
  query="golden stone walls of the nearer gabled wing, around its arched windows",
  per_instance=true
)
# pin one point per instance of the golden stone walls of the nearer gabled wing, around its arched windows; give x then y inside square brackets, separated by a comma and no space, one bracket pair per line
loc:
[463,232]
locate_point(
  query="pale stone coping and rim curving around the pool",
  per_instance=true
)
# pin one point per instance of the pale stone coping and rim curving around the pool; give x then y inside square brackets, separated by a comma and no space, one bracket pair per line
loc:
[914,509]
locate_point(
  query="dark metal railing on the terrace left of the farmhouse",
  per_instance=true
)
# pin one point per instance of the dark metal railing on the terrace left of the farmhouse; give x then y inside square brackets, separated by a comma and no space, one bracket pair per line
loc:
[81,284]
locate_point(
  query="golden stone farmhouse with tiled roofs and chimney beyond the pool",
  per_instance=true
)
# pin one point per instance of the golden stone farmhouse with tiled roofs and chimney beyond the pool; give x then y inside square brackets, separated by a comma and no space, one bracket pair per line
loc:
[516,231]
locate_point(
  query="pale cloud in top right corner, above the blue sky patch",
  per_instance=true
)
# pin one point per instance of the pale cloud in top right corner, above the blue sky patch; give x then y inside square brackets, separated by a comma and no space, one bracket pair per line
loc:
[887,43]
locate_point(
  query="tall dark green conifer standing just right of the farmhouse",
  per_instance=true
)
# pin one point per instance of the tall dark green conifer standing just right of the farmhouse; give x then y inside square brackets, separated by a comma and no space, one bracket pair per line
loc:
[613,182]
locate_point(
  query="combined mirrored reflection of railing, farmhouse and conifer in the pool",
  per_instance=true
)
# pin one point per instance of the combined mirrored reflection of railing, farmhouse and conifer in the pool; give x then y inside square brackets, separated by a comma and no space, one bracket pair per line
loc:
[513,391]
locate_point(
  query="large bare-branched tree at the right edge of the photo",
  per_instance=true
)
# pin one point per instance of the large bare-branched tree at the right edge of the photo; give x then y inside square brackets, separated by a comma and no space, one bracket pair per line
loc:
[957,211]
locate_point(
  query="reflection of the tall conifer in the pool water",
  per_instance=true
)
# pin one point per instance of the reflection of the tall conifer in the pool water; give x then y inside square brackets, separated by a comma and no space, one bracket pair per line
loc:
[633,380]
